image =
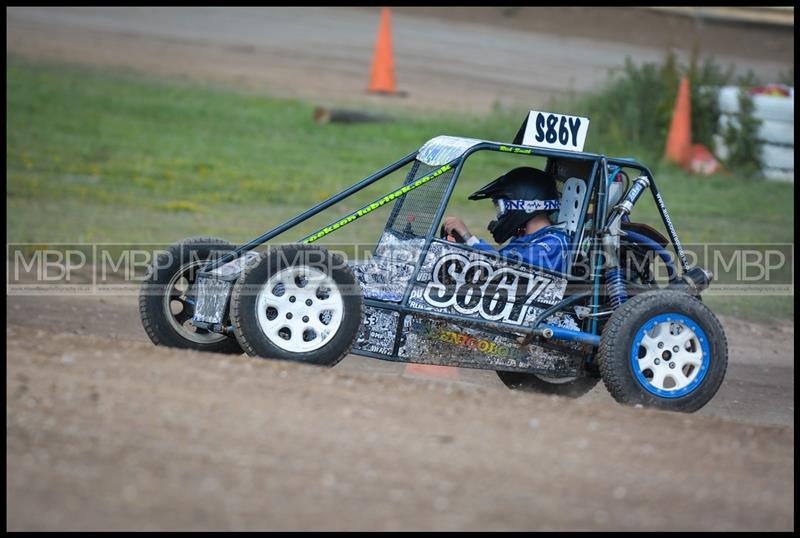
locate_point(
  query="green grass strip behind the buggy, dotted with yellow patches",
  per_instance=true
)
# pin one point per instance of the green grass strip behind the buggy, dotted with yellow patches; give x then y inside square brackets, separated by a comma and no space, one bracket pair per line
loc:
[98,156]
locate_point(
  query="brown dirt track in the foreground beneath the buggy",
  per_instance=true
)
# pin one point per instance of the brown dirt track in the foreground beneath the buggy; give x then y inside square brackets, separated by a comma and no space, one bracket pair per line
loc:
[109,432]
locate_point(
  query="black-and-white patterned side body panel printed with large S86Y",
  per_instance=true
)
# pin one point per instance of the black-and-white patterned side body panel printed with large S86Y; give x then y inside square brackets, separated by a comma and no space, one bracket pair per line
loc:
[474,286]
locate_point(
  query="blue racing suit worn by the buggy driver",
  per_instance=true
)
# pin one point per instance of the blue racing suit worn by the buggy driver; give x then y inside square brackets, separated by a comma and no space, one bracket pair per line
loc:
[547,248]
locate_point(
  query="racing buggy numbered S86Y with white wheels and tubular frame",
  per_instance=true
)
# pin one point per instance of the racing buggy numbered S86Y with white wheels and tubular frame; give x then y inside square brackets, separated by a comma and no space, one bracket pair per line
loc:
[419,297]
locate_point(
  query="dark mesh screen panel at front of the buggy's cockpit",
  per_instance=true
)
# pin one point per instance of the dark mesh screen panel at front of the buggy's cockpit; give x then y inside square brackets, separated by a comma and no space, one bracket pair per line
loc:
[414,213]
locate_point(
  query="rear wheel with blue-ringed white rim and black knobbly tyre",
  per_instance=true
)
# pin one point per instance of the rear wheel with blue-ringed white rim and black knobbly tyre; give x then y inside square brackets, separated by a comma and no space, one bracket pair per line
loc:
[664,349]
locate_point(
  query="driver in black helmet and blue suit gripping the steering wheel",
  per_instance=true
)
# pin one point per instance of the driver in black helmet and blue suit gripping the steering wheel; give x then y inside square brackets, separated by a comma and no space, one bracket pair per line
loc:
[526,199]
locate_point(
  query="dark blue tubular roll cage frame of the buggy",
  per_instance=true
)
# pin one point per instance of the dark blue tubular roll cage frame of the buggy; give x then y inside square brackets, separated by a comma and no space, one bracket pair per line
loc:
[597,187]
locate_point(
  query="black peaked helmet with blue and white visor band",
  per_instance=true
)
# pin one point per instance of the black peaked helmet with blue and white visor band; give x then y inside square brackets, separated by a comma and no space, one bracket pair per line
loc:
[519,195]
